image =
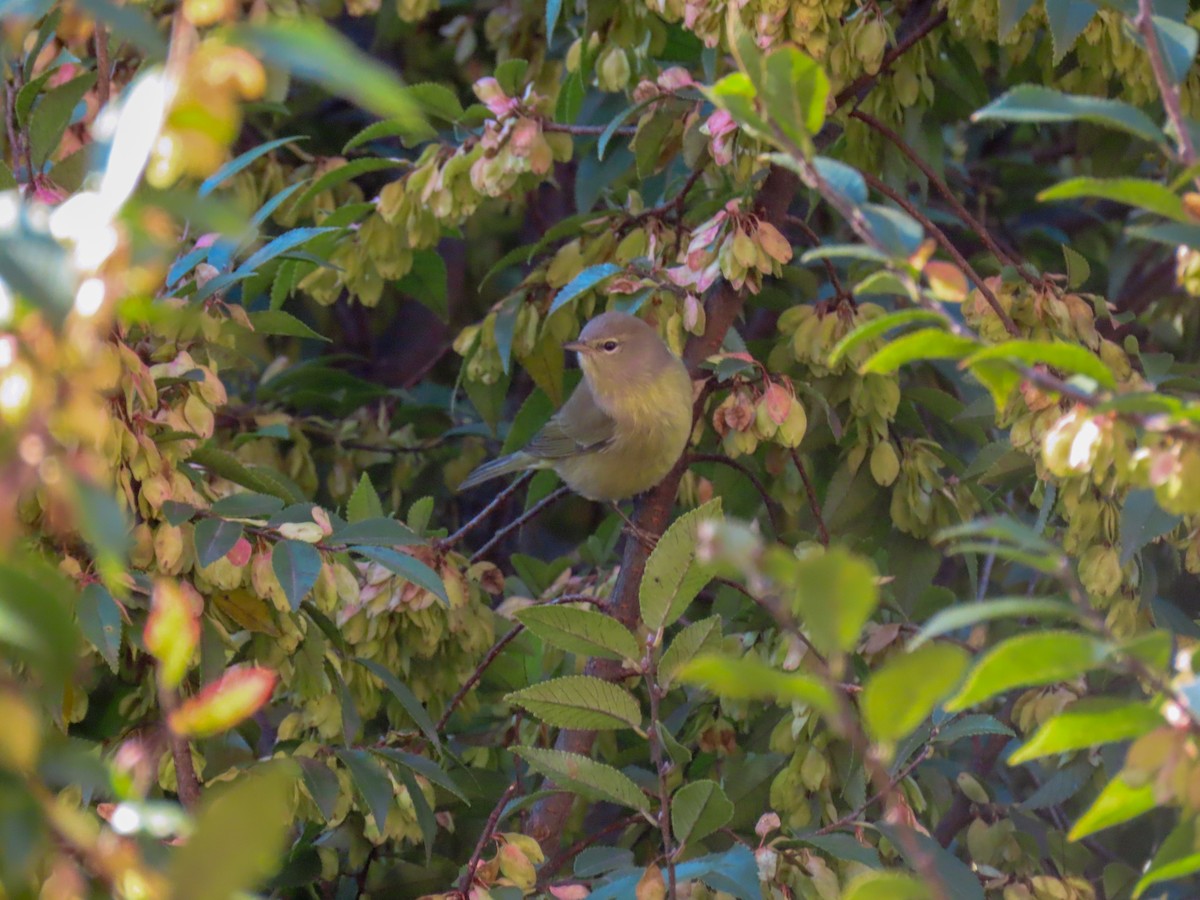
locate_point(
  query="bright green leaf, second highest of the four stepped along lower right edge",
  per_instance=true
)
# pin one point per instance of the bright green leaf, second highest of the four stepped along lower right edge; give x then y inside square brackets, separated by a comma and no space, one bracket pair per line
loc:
[1089,723]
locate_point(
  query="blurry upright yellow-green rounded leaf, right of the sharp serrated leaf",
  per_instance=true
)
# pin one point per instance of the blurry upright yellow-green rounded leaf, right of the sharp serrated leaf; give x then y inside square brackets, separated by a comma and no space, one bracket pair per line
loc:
[835,595]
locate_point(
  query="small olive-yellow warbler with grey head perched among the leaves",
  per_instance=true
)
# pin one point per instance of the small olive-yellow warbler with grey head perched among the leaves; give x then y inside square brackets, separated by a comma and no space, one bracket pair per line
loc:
[623,428]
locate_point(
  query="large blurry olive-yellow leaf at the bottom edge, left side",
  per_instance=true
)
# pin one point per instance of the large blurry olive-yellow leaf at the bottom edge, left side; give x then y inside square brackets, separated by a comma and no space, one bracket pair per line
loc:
[239,839]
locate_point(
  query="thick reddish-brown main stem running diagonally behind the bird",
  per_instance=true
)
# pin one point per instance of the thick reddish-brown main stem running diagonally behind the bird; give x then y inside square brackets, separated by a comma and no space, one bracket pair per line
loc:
[549,818]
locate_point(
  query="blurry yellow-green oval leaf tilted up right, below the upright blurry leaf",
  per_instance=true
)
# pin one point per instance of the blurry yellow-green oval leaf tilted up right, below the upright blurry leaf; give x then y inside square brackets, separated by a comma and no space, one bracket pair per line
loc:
[905,691]
